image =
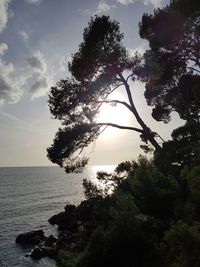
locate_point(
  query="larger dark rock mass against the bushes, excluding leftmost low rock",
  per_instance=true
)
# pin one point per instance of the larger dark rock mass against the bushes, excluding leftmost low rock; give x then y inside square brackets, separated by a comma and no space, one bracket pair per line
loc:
[76,225]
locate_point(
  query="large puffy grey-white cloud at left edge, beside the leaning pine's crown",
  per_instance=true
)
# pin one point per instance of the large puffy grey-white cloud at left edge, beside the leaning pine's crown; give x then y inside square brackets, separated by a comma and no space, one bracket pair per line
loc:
[33,79]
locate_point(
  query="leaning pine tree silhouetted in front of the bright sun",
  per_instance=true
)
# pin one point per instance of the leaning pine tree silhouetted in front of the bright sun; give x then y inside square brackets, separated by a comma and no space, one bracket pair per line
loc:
[100,67]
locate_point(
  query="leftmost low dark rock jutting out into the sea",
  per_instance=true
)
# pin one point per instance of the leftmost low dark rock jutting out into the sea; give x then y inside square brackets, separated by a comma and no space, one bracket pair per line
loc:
[31,238]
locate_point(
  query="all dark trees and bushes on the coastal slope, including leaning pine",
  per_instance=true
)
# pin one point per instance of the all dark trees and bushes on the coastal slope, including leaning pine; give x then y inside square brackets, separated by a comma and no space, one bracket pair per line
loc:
[150,208]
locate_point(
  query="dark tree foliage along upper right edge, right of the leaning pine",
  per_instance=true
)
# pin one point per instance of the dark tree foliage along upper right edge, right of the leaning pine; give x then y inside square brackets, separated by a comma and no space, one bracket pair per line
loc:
[172,68]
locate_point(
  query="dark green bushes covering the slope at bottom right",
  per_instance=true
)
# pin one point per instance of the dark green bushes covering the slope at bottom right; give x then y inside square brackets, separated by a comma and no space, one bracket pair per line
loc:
[145,221]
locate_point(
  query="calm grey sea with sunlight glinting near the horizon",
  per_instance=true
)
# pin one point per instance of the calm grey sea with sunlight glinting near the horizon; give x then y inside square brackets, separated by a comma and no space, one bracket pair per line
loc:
[29,196]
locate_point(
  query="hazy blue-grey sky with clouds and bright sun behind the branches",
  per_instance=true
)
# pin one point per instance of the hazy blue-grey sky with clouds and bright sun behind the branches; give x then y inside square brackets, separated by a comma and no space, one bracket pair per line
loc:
[37,38]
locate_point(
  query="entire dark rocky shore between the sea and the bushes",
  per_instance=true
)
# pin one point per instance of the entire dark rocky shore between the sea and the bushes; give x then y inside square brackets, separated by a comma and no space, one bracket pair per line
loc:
[75,225]
